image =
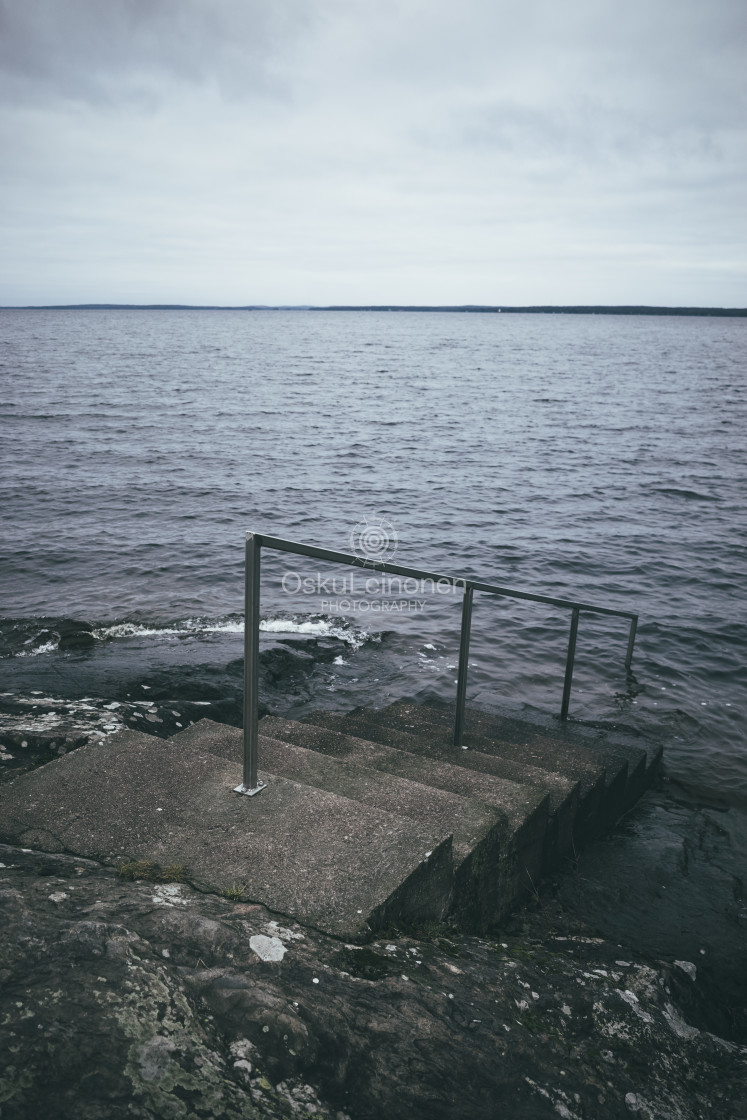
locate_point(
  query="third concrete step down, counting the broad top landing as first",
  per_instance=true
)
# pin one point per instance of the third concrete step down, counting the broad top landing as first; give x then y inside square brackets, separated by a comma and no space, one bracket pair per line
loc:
[525,808]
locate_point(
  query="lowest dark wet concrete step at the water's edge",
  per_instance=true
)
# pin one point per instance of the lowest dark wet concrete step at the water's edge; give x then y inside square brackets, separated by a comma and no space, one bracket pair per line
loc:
[628,767]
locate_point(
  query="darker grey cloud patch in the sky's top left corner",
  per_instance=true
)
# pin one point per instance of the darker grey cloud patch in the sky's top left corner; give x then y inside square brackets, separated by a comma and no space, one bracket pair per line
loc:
[120,50]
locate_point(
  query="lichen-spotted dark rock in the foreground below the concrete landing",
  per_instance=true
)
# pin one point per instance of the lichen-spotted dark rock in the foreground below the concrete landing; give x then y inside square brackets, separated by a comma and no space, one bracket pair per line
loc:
[134,1002]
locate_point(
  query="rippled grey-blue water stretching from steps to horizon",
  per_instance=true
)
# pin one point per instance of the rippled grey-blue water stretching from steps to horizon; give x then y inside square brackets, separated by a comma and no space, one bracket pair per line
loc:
[596,459]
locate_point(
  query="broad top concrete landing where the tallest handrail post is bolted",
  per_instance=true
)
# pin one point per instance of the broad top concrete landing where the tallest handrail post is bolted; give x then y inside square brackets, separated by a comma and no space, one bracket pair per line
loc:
[318,856]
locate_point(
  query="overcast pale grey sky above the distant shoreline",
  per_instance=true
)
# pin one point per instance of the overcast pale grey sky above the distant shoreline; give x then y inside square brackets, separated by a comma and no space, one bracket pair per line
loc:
[346,152]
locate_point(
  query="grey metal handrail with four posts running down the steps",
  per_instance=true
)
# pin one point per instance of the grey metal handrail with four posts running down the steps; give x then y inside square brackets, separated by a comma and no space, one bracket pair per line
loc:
[251,783]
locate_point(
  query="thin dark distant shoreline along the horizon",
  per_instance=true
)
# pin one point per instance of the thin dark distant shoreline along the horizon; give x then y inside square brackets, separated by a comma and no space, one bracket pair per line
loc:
[540,310]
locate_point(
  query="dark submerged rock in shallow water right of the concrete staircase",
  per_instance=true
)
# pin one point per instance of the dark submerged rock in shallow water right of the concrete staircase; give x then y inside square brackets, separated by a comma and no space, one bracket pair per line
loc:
[670,883]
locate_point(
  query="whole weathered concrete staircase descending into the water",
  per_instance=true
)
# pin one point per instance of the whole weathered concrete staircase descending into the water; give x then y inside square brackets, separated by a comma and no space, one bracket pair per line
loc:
[369,819]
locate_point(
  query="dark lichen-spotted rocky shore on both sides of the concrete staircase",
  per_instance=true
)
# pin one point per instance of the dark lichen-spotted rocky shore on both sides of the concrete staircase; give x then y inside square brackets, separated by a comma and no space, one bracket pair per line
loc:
[619,992]
